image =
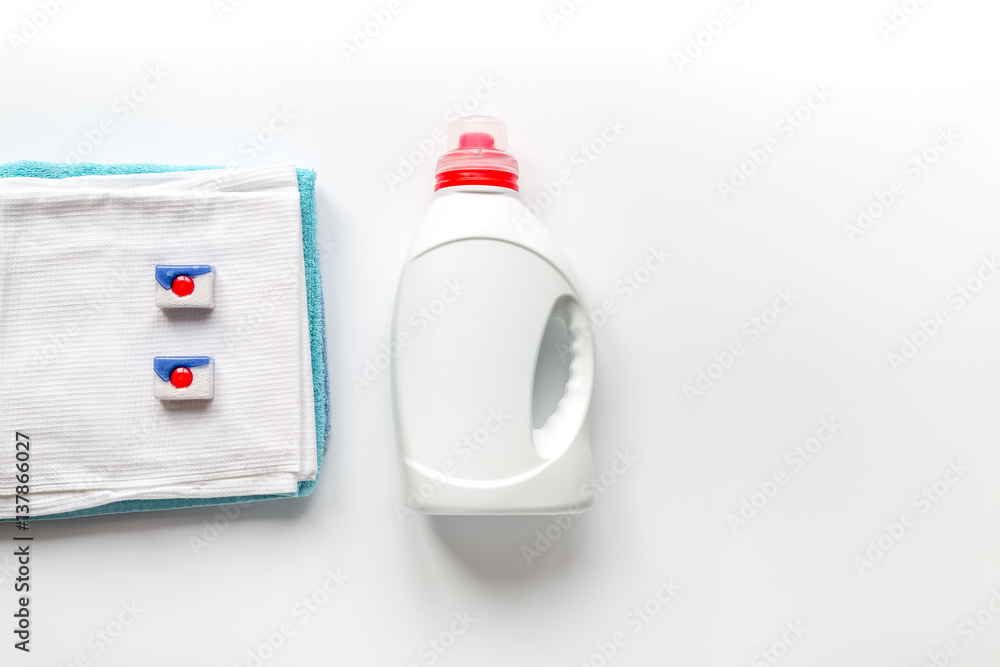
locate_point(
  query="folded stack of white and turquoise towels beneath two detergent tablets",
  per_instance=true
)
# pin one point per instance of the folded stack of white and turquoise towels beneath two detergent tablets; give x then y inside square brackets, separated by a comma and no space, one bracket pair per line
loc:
[79,329]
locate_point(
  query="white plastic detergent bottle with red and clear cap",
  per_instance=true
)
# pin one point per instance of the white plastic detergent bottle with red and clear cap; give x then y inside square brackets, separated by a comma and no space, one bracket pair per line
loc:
[481,282]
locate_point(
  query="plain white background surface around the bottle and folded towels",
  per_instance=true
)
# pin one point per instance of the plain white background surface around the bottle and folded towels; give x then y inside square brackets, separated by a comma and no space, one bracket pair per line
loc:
[794,561]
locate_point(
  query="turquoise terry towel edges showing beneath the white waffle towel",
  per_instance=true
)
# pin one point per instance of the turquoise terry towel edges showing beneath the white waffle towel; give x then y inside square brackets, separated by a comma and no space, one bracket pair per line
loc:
[317,323]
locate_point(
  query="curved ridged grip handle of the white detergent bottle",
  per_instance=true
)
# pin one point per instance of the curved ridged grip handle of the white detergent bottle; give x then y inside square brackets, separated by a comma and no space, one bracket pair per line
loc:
[561,429]
